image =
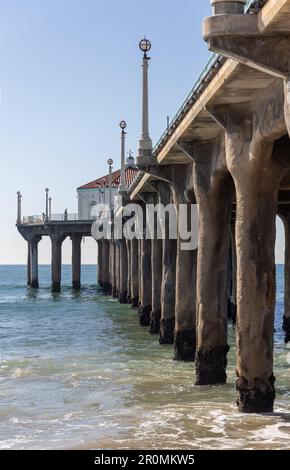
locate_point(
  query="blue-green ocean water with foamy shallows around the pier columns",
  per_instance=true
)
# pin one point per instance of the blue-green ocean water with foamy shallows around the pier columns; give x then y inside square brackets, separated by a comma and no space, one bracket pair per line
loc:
[78,372]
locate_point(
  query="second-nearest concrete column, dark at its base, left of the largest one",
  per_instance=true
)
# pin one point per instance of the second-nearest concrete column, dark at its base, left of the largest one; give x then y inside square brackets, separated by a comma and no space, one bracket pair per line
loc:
[214,195]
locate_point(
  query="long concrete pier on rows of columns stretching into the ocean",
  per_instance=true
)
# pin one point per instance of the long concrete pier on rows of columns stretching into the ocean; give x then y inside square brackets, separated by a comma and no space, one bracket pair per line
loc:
[227,150]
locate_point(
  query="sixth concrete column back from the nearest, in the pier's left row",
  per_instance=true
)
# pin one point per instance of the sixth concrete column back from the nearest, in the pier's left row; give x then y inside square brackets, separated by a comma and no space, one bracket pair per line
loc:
[145,307]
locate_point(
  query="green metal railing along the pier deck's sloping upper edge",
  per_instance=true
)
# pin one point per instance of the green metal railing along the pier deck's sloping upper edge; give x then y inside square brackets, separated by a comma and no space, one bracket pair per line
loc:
[211,64]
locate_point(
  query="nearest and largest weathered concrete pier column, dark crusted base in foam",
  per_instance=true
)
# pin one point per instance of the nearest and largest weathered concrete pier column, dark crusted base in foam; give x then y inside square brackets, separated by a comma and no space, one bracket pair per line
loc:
[256,295]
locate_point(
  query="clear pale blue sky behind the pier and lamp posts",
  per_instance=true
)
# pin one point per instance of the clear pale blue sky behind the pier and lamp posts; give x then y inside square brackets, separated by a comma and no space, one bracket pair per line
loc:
[70,70]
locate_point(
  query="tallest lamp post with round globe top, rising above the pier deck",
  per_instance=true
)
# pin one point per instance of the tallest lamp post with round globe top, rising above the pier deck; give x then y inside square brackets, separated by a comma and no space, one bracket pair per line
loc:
[145,142]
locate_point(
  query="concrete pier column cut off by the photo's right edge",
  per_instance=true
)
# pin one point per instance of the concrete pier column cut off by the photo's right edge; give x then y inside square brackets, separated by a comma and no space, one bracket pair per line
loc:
[284,213]
